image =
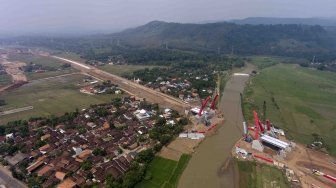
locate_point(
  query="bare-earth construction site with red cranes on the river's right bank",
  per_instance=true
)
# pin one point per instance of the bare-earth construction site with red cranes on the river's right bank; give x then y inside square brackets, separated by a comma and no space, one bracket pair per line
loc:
[304,167]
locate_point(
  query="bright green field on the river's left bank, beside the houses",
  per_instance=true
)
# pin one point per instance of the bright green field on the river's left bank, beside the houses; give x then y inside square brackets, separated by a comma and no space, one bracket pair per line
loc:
[164,173]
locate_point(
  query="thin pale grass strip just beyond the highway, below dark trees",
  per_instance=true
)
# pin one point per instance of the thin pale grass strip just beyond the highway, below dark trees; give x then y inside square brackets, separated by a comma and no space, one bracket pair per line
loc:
[124,69]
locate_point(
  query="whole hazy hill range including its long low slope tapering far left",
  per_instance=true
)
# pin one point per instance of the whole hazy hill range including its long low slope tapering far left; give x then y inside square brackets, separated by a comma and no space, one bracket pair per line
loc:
[283,40]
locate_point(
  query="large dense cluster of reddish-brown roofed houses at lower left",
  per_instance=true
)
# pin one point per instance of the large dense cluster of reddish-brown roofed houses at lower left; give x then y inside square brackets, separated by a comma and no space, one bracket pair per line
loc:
[84,149]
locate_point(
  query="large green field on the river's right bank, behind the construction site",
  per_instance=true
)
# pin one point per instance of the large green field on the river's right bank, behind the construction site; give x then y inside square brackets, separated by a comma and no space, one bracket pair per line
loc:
[302,101]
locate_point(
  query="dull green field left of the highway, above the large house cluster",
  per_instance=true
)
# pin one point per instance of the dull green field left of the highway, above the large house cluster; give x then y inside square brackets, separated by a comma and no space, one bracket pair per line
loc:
[52,96]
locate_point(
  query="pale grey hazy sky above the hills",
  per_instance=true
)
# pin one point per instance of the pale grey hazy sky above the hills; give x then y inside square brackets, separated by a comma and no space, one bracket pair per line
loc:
[45,16]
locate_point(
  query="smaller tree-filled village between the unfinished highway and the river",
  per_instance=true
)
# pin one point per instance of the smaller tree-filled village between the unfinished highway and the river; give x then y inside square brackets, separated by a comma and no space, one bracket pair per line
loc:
[186,83]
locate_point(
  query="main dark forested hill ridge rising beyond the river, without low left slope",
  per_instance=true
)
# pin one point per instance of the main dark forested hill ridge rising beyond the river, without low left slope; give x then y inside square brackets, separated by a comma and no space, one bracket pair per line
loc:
[291,40]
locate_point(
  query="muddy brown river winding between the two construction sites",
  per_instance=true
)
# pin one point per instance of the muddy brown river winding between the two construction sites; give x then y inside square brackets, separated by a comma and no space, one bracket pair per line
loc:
[210,165]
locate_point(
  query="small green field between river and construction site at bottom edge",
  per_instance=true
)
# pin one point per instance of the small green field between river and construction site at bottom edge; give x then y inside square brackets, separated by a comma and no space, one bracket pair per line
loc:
[255,175]
